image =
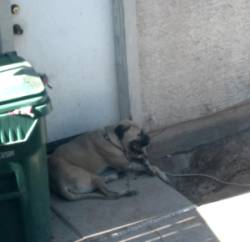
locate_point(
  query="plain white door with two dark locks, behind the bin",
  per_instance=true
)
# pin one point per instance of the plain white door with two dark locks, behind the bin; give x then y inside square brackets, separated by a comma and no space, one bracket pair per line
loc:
[72,42]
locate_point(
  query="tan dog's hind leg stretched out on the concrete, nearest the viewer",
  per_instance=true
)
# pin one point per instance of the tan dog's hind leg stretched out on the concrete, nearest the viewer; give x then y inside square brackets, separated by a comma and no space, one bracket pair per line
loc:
[102,187]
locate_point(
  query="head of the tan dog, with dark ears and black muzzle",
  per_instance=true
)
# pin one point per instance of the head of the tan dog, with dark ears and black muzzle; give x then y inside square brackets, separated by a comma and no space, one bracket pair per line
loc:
[133,138]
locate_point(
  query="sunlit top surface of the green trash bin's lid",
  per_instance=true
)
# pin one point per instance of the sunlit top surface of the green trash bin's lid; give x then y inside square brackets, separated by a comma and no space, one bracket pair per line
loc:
[19,81]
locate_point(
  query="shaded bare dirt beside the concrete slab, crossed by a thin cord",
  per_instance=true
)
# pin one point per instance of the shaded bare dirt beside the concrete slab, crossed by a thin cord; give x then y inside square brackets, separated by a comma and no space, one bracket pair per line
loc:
[227,159]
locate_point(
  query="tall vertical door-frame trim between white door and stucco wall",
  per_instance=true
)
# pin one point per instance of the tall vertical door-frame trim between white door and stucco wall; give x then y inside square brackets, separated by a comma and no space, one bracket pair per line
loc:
[127,61]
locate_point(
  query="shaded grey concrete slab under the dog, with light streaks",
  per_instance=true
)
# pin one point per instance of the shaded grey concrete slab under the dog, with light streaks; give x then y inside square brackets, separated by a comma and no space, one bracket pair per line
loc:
[158,213]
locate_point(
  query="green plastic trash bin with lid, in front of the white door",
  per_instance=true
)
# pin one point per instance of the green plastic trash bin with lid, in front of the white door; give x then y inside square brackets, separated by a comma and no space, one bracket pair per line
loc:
[24,194]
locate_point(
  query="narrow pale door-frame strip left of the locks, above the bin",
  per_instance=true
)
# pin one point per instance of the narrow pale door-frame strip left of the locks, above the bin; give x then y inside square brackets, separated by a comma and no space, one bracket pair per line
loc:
[6,34]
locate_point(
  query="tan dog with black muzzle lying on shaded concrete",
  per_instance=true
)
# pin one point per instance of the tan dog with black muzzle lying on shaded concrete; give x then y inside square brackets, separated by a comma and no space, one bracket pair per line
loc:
[77,169]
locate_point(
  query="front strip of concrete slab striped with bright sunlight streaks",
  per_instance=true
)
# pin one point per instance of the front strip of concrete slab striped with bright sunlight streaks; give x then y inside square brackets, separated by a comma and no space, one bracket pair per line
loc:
[184,225]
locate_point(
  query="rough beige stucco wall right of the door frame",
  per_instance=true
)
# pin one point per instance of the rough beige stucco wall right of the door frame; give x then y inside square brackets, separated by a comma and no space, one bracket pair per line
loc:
[194,57]
